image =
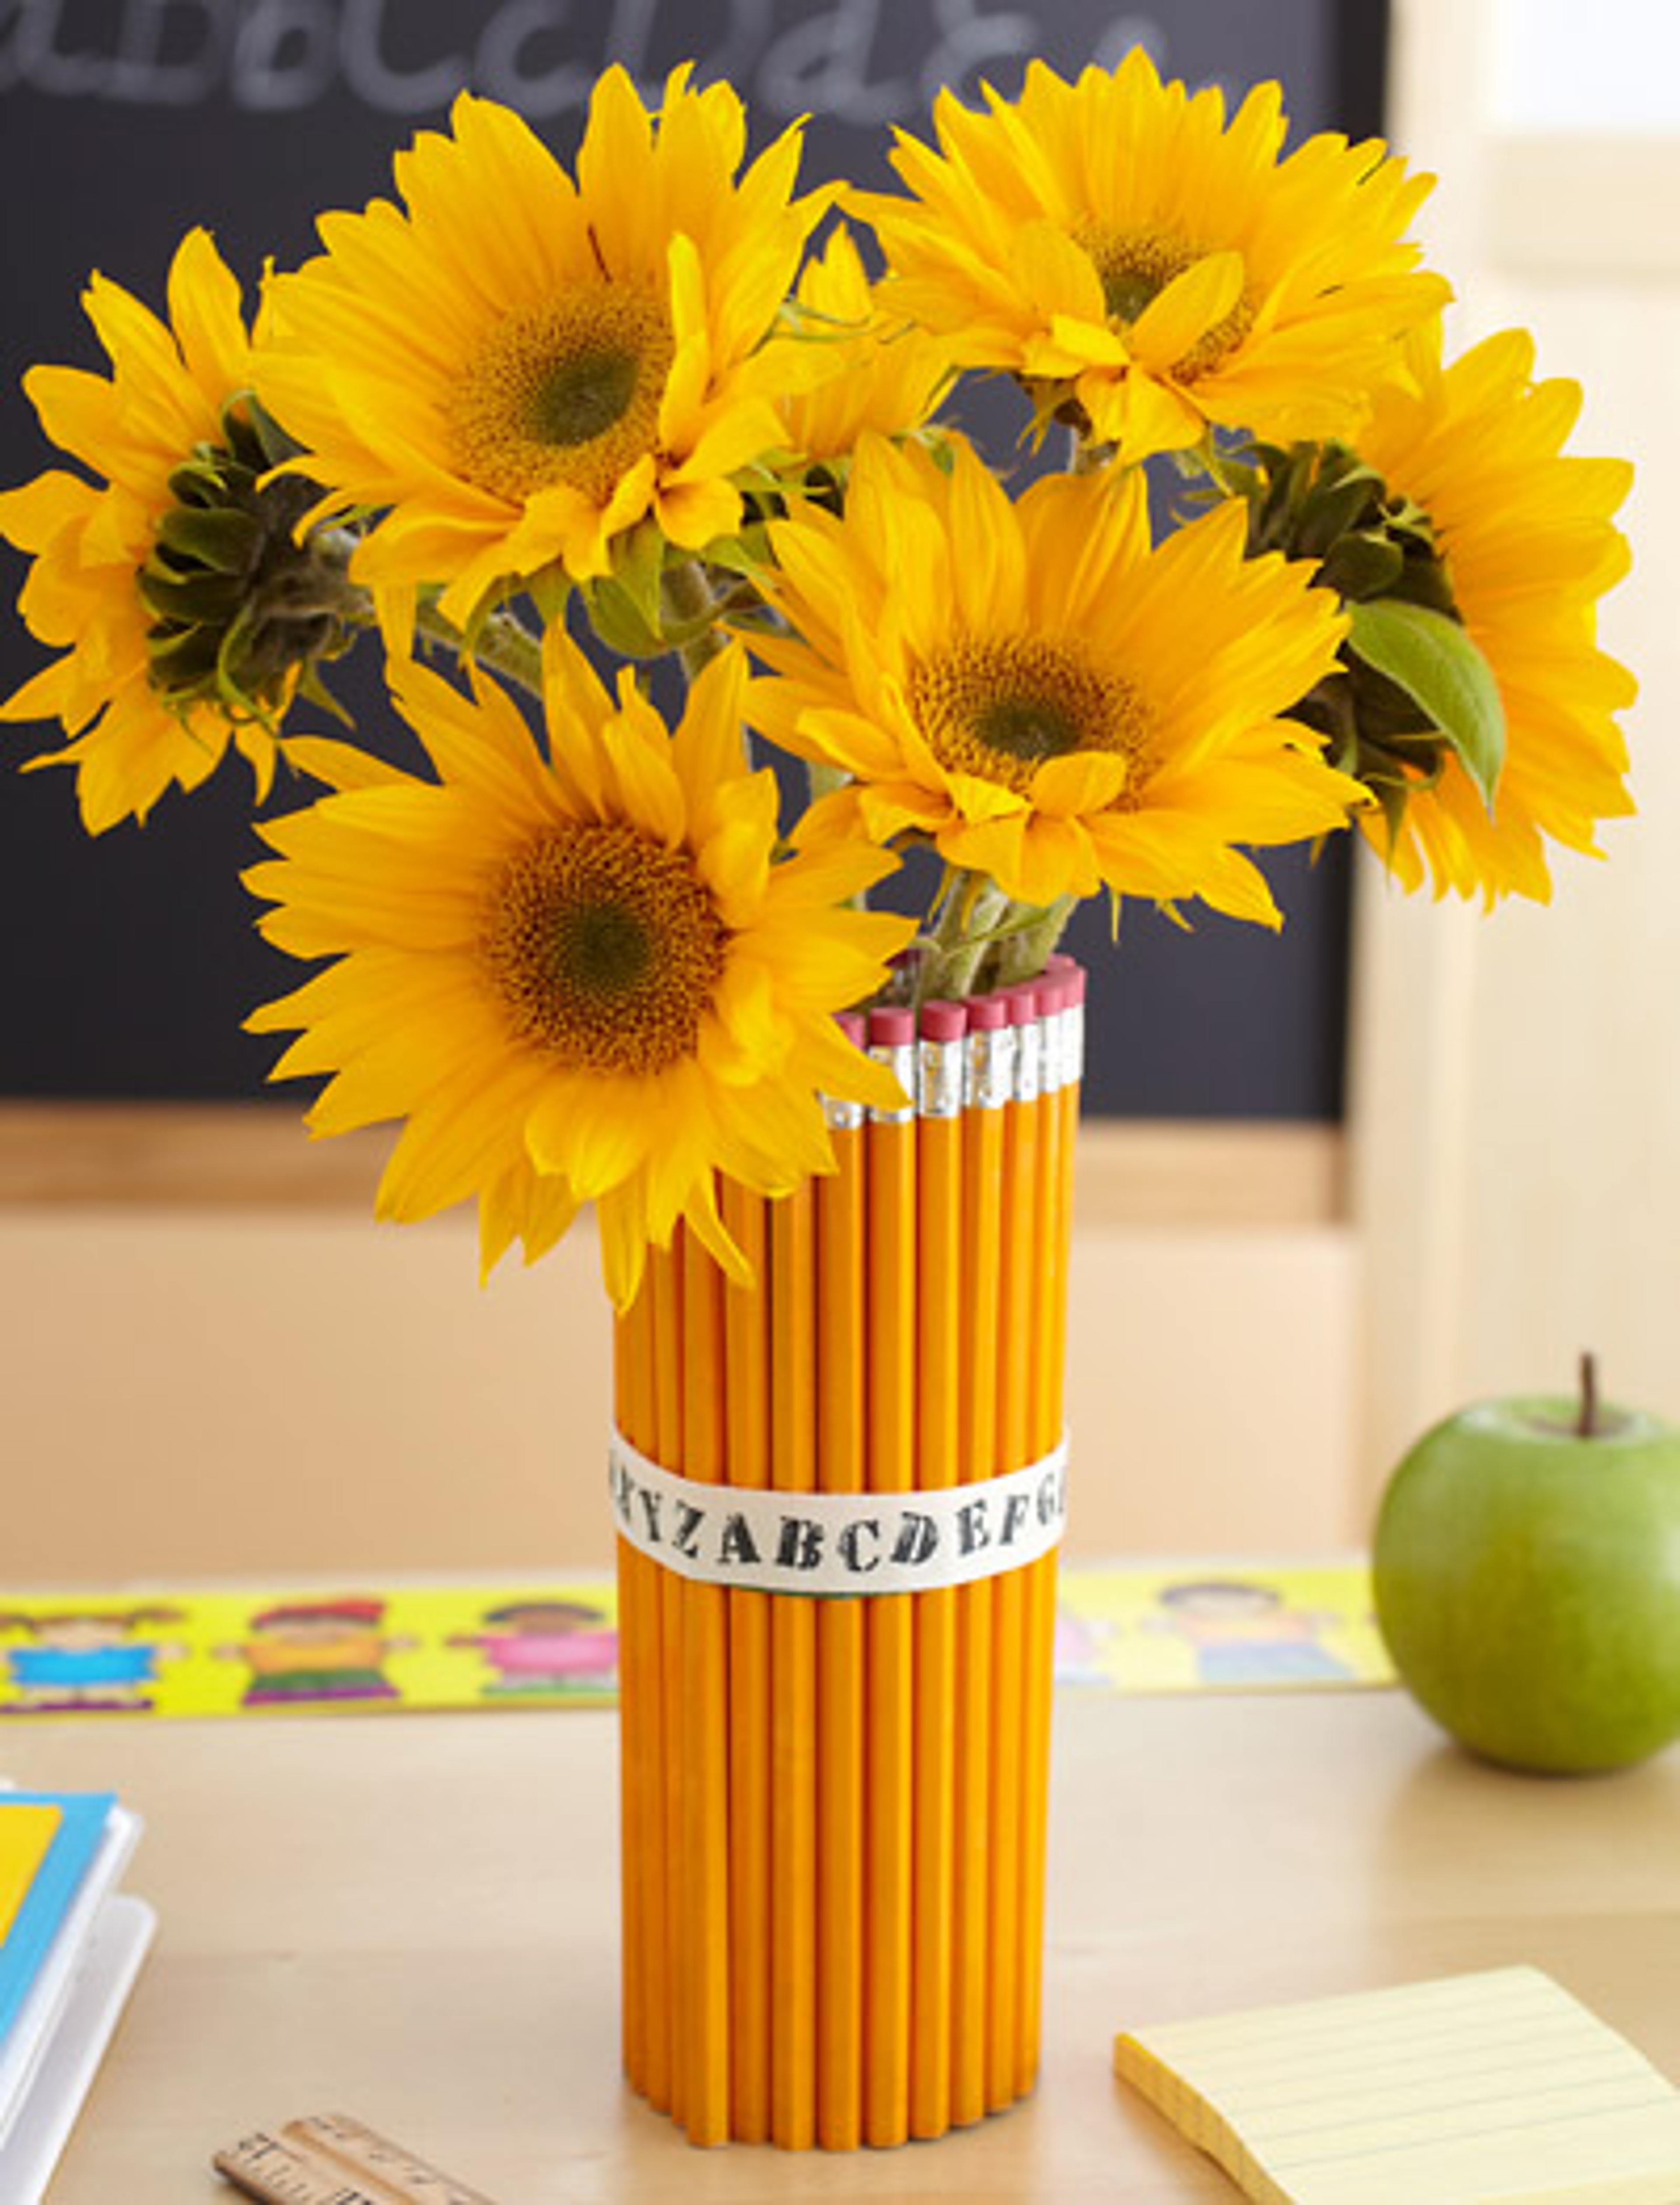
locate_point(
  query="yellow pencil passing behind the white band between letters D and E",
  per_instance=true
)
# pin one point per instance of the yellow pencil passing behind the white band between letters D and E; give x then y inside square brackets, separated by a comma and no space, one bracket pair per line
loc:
[938,1302]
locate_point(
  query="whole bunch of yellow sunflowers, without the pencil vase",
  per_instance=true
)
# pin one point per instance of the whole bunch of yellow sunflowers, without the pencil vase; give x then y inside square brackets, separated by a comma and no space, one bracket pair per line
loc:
[1300,574]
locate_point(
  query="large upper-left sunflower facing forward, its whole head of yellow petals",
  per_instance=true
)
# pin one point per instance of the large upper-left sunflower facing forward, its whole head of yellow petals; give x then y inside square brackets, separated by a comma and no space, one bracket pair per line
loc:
[521,367]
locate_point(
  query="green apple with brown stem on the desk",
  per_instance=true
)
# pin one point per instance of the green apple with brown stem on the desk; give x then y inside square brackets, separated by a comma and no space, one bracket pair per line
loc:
[1527,1571]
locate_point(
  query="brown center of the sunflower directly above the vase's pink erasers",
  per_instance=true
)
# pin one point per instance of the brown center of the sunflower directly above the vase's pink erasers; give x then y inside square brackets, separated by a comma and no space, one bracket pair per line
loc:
[1000,707]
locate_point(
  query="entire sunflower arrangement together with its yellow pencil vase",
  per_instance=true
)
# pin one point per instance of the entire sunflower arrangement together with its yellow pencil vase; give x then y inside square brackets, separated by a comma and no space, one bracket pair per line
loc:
[557,435]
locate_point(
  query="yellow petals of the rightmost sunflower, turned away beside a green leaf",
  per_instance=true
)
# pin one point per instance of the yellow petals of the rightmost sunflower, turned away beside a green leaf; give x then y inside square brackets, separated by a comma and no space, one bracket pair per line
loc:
[1527,548]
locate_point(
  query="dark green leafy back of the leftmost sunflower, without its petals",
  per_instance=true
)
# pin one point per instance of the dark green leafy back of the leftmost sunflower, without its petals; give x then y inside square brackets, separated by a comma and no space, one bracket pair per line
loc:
[244,607]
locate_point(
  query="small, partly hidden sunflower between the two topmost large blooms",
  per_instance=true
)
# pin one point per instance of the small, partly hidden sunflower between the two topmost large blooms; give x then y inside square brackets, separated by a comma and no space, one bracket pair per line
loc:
[870,372]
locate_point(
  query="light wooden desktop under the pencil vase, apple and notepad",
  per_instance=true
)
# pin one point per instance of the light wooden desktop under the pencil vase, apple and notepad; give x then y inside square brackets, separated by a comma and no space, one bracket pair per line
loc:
[416,1919]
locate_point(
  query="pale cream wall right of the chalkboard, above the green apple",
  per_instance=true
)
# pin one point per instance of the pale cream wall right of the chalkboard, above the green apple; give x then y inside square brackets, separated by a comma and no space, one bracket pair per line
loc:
[1516,1115]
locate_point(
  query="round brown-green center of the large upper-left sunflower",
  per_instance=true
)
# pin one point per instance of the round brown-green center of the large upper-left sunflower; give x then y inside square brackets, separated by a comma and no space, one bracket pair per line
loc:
[566,394]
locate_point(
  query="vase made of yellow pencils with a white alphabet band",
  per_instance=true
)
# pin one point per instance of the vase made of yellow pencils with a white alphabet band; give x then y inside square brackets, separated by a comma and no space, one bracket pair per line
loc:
[839,1496]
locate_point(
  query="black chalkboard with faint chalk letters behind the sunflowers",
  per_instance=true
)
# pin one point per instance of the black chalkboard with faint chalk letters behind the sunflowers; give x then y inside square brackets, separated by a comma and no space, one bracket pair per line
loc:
[131,962]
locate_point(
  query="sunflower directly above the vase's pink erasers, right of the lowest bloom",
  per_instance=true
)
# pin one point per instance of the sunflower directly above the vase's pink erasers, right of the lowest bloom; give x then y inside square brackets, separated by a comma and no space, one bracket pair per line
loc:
[1044,696]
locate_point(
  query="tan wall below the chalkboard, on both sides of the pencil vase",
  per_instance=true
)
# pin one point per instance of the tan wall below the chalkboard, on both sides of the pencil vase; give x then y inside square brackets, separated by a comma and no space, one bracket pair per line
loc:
[250,1386]
